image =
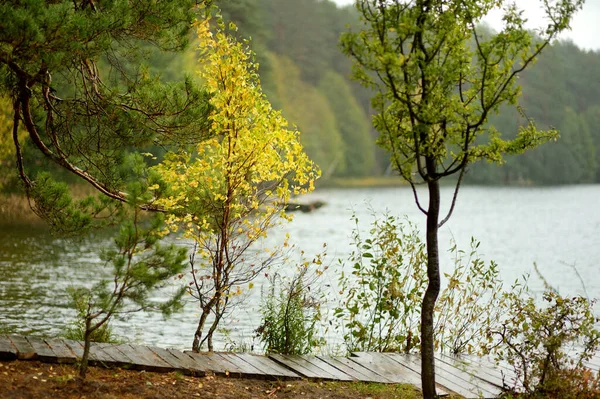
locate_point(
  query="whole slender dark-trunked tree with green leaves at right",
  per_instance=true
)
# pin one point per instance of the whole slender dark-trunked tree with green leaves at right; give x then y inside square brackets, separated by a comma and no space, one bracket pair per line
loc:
[438,79]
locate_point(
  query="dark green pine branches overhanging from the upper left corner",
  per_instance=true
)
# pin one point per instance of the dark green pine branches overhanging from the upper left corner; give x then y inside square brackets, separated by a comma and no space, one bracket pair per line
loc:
[77,84]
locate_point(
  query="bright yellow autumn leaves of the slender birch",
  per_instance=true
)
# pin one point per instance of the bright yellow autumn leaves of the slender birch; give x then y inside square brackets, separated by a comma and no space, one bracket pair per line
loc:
[238,181]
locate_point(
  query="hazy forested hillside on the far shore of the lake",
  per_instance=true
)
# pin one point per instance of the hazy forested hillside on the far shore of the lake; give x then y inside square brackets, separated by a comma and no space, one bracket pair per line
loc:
[304,73]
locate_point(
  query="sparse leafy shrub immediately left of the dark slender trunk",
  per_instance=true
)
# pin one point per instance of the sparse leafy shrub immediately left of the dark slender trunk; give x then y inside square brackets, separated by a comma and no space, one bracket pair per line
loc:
[382,294]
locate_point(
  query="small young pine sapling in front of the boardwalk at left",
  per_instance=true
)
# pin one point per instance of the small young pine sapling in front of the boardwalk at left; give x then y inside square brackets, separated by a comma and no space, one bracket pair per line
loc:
[140,266]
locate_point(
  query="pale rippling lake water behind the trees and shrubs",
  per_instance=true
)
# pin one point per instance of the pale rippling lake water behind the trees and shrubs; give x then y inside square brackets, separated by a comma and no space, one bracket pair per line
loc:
[556,227]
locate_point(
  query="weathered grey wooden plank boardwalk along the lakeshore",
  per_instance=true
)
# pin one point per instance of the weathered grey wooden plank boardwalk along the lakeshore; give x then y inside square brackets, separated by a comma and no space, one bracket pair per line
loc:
[470,377]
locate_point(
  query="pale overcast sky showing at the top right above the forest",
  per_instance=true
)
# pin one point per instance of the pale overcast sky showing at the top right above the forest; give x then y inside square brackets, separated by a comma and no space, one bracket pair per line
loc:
[585,26]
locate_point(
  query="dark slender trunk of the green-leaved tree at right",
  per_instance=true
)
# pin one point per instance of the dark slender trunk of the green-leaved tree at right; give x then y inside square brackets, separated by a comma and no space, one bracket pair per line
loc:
[433,288]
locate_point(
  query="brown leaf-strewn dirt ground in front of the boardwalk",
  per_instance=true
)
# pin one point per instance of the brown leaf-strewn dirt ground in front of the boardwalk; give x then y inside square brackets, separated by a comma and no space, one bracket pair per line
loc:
[35,380]
